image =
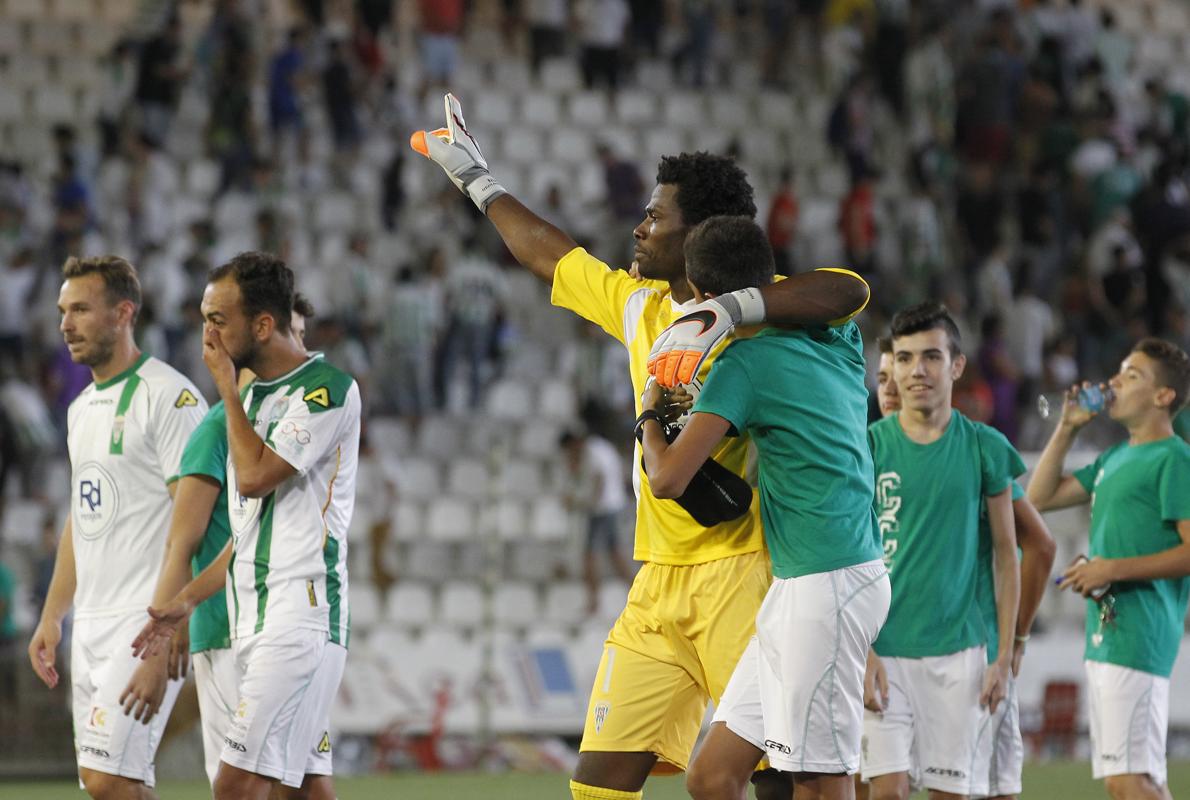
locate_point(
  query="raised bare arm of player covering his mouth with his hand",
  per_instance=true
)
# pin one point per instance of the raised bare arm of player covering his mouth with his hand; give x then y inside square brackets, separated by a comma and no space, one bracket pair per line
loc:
[259,470]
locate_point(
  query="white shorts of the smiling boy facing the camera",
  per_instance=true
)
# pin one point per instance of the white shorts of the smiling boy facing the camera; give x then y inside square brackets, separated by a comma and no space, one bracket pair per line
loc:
[934,723]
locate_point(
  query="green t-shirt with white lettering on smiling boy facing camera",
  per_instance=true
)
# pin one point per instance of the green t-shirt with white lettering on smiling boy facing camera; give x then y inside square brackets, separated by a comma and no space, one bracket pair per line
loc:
[929,499]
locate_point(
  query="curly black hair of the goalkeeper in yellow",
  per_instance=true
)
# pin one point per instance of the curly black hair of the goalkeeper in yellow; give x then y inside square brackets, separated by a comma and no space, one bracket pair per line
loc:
[707,186]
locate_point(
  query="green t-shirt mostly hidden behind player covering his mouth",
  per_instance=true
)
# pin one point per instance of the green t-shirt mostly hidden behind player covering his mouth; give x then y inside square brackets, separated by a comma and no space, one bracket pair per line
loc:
[206,454]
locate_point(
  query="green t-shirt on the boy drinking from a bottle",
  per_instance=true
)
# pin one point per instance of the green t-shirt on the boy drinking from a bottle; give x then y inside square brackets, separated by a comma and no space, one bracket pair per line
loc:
[1138,496]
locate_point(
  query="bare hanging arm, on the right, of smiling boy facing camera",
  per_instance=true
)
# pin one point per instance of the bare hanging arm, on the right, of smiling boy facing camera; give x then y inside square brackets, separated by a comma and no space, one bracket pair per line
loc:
[1006,571]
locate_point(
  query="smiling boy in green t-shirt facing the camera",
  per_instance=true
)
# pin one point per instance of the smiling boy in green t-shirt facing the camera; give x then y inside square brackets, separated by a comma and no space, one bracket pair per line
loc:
[935,472]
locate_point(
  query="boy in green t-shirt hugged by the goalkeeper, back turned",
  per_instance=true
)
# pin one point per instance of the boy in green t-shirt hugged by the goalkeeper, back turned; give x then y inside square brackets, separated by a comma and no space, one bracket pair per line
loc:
[797,695]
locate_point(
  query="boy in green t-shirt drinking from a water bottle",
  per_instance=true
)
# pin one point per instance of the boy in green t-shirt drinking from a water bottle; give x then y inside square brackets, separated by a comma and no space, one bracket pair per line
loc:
[1137,579]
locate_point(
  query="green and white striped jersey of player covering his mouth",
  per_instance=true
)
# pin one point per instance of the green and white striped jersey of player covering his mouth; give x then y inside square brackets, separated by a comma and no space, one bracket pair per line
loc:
[290,566]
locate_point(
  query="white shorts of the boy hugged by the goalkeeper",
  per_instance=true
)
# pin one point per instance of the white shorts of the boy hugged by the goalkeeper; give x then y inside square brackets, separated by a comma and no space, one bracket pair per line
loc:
[798,692]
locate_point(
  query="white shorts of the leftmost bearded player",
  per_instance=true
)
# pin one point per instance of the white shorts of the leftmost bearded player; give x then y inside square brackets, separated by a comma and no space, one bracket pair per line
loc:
[102,664]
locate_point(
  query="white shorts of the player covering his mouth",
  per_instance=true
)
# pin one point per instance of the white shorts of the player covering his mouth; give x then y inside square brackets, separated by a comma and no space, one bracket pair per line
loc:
[287,684]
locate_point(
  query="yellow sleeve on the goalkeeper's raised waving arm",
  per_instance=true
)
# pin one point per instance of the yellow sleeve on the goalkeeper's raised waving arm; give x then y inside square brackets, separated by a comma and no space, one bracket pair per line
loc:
[594,291]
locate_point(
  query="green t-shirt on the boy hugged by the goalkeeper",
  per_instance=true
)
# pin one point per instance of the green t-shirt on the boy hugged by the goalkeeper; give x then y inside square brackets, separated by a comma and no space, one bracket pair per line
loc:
[801,397]
